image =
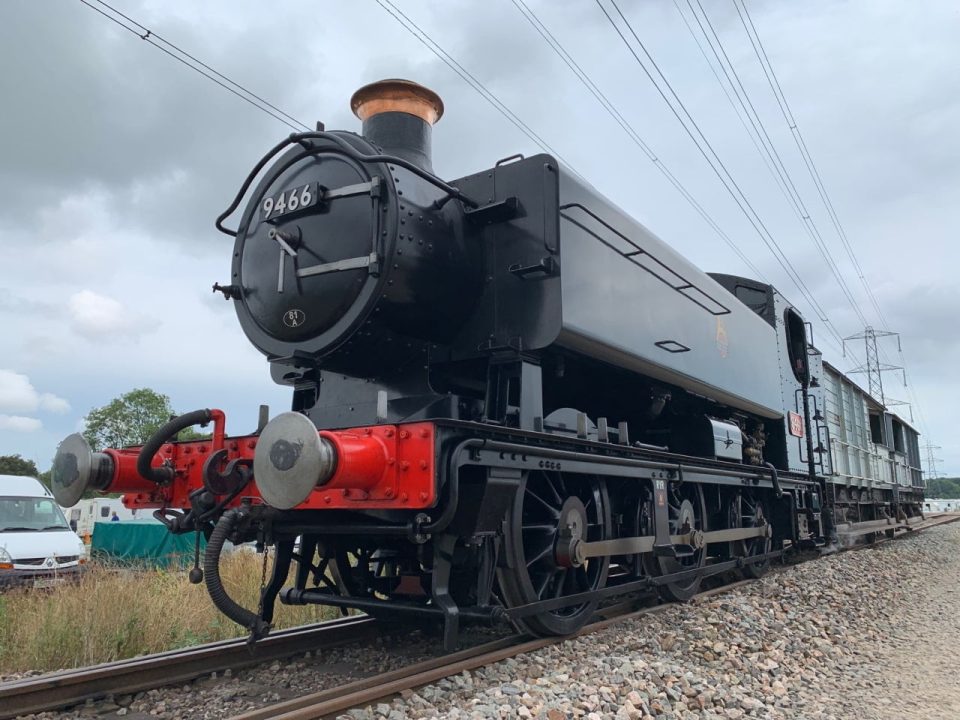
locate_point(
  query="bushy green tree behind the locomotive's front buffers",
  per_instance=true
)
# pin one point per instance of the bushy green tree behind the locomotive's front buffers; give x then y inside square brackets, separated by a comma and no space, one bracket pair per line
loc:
[127,420]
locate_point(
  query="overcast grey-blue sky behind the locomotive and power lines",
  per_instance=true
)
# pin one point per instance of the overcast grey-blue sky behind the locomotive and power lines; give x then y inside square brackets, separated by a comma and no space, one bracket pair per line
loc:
[116,159]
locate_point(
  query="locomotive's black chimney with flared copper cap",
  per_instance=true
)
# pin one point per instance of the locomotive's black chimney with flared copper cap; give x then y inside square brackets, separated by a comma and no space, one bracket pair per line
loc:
[398,116]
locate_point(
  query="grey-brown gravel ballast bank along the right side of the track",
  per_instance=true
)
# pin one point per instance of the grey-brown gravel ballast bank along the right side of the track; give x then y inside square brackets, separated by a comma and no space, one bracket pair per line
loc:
[816,641]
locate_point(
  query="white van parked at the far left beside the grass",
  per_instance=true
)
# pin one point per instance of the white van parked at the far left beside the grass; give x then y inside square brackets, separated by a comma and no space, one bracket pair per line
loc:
[37,546]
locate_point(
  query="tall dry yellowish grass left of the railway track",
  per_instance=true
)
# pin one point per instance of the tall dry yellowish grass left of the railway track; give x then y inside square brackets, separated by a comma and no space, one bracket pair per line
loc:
[114,613]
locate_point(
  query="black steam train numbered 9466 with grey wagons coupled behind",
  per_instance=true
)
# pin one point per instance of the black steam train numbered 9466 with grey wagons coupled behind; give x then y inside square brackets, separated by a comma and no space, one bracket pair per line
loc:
[510,400]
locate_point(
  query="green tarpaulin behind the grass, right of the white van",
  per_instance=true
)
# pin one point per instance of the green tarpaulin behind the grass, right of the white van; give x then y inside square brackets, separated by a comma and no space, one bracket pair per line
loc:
[142,542]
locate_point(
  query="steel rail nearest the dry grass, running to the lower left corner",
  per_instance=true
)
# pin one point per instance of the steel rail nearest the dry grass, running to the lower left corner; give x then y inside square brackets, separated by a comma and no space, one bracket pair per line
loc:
[71,687]
